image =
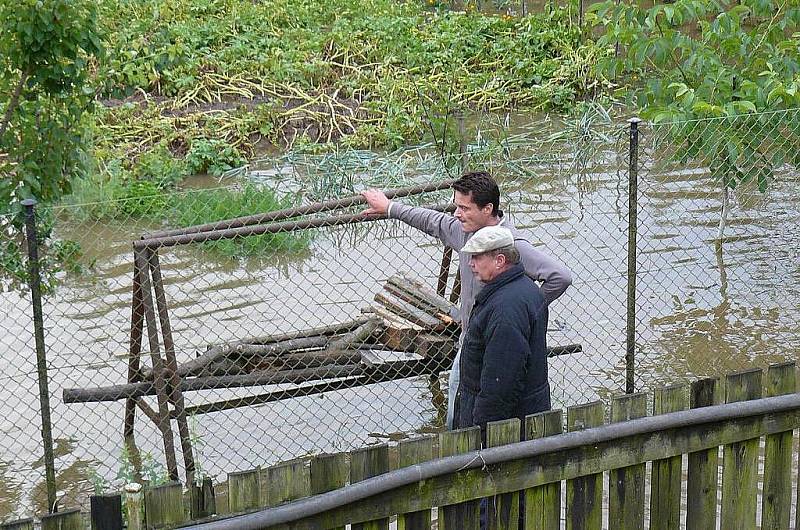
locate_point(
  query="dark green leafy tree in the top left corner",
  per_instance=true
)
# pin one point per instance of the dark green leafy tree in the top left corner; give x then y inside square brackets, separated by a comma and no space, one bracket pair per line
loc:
[47,48]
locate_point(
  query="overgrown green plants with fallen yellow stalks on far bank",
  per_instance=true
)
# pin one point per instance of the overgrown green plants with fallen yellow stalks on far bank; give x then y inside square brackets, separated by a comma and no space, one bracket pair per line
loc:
[247,72]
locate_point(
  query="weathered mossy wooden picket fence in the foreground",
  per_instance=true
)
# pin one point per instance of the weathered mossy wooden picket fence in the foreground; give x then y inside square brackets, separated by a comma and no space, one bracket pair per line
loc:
[576,465]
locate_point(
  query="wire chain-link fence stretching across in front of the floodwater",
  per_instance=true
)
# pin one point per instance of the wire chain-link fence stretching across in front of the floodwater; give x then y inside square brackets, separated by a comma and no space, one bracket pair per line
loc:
[319,333]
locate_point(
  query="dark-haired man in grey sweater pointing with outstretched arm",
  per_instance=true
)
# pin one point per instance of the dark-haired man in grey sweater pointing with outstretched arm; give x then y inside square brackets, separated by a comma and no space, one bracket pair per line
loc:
[477,199]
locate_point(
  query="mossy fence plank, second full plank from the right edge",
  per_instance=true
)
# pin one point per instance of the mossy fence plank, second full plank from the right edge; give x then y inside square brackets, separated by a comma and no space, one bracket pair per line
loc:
[740,460]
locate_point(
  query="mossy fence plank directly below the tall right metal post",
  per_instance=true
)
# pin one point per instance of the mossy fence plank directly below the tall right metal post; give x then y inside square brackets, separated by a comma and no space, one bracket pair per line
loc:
[626,485]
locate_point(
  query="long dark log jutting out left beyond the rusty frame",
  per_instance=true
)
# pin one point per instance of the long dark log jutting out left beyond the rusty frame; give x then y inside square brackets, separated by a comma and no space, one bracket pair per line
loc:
[115,392]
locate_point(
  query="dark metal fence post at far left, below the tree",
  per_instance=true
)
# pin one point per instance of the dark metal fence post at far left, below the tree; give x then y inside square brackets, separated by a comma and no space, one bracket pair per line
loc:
[34,281]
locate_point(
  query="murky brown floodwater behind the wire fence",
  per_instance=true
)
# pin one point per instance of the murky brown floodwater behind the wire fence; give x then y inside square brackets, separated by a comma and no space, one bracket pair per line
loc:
[699,313]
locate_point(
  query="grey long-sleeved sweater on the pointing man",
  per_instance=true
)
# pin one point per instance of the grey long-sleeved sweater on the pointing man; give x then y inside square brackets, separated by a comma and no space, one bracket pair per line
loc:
[555,277]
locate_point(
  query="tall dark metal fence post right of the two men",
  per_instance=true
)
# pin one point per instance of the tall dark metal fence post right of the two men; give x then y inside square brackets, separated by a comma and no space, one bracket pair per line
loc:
[633,184]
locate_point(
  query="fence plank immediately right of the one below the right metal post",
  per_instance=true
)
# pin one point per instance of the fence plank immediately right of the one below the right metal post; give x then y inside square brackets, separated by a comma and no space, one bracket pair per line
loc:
[665,483]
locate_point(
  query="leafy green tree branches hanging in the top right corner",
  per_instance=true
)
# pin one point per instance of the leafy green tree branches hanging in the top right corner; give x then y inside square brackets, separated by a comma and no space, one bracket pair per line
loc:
[712,59]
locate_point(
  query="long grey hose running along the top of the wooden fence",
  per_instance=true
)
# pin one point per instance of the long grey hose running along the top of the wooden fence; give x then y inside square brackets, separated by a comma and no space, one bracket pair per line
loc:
[476,459]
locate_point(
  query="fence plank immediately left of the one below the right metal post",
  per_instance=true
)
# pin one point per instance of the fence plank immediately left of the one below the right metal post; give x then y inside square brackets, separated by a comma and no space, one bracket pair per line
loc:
[585,494]
